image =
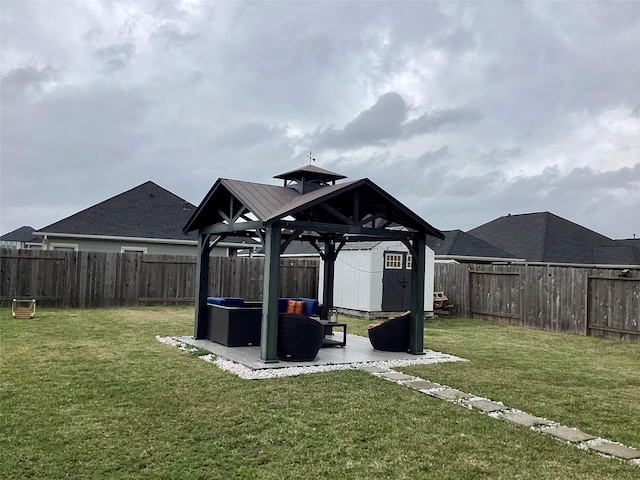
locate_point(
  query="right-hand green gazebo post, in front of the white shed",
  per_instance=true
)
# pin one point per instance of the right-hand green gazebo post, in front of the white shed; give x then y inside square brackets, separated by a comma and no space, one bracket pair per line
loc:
[416,333]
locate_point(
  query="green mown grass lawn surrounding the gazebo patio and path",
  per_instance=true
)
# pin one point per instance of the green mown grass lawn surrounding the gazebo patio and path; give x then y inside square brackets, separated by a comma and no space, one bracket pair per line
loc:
[92,394]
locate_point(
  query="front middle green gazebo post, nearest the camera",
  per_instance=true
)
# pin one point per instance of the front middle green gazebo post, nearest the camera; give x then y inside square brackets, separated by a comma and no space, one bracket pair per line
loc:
[270,294]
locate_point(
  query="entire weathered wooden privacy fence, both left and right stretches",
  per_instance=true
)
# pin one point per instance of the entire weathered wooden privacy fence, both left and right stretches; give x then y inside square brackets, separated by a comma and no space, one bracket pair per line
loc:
[585,301]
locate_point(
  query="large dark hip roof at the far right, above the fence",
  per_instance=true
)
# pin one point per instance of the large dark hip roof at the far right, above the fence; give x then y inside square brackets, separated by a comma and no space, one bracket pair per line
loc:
[547,238]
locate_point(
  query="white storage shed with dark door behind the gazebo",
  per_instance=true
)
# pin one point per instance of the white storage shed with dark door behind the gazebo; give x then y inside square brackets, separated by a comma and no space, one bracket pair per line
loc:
[374,279]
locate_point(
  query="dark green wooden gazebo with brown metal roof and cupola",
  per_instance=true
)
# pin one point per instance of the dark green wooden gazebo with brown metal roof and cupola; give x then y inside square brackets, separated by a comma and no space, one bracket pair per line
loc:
[310,206]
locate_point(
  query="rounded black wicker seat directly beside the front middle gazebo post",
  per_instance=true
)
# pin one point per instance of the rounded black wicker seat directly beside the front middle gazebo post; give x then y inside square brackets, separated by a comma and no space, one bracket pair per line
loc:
[299,337]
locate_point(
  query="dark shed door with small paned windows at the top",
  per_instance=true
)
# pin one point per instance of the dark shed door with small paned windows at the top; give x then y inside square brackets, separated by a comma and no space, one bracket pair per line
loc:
[396,282]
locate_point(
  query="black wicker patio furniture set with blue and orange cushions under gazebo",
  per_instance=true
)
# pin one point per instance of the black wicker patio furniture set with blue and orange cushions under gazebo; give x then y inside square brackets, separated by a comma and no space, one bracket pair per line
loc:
[301,332]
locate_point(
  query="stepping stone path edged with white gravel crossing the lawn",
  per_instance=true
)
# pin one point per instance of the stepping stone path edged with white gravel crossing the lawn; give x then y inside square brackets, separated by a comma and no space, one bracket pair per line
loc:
[500,411]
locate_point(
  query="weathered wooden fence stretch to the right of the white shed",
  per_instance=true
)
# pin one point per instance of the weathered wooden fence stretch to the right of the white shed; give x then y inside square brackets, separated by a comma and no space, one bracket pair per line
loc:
[585,301]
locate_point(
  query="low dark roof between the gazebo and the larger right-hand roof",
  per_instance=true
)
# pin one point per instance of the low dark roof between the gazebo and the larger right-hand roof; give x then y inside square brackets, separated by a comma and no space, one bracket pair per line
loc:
[459,244]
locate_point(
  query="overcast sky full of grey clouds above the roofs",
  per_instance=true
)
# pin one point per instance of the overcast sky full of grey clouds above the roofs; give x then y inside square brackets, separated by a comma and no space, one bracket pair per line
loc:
[464,111]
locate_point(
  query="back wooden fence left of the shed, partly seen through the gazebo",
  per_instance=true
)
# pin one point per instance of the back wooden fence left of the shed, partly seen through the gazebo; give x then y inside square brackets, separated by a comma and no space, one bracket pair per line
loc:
[93,279]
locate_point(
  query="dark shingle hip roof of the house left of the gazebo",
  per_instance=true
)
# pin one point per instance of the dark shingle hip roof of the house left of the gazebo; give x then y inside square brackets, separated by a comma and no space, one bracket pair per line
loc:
[146,211]
